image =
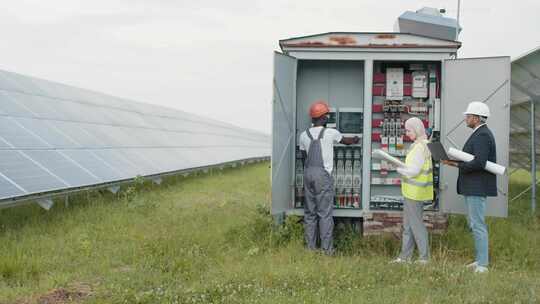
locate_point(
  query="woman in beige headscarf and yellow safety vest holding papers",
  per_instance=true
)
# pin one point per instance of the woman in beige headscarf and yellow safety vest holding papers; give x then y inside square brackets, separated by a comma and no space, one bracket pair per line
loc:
[417,188]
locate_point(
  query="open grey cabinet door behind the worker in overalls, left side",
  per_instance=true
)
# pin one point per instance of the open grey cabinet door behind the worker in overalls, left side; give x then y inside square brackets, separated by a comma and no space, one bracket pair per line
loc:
[283,132]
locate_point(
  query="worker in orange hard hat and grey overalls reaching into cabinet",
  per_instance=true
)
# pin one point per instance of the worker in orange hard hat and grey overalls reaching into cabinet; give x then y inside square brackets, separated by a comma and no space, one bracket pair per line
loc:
[317,144]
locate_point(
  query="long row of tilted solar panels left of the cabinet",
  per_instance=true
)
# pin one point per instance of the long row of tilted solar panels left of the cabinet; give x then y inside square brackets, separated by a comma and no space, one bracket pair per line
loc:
[55,137]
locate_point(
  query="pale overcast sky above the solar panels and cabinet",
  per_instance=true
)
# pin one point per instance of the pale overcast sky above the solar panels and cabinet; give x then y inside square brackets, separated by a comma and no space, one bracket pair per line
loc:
[214,58]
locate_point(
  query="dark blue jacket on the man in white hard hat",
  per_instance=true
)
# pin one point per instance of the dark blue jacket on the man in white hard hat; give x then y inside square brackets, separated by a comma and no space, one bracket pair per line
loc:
[473,179]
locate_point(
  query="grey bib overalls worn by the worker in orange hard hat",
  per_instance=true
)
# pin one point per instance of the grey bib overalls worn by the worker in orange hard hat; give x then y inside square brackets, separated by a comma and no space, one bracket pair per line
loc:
[319,198]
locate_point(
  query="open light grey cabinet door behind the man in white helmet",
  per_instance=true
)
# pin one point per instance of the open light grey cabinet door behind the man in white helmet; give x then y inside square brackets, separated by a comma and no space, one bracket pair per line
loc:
[466,80]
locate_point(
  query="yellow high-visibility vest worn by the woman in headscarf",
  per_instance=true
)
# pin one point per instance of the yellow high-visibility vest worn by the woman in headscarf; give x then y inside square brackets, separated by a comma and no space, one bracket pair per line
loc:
[420,187]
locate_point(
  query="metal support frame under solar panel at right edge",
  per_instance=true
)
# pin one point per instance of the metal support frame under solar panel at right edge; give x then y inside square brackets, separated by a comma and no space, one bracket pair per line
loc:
[525,96]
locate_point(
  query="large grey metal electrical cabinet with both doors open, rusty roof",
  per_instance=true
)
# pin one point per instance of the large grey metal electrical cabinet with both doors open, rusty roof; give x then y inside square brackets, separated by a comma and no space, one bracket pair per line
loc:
[373,83]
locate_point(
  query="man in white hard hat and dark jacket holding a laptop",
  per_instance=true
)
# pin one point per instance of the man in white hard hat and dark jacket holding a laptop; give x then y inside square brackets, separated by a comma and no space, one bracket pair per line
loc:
[474,182]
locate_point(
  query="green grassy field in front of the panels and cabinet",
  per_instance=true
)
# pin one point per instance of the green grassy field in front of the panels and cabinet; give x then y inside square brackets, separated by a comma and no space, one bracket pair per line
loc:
[210,239]
